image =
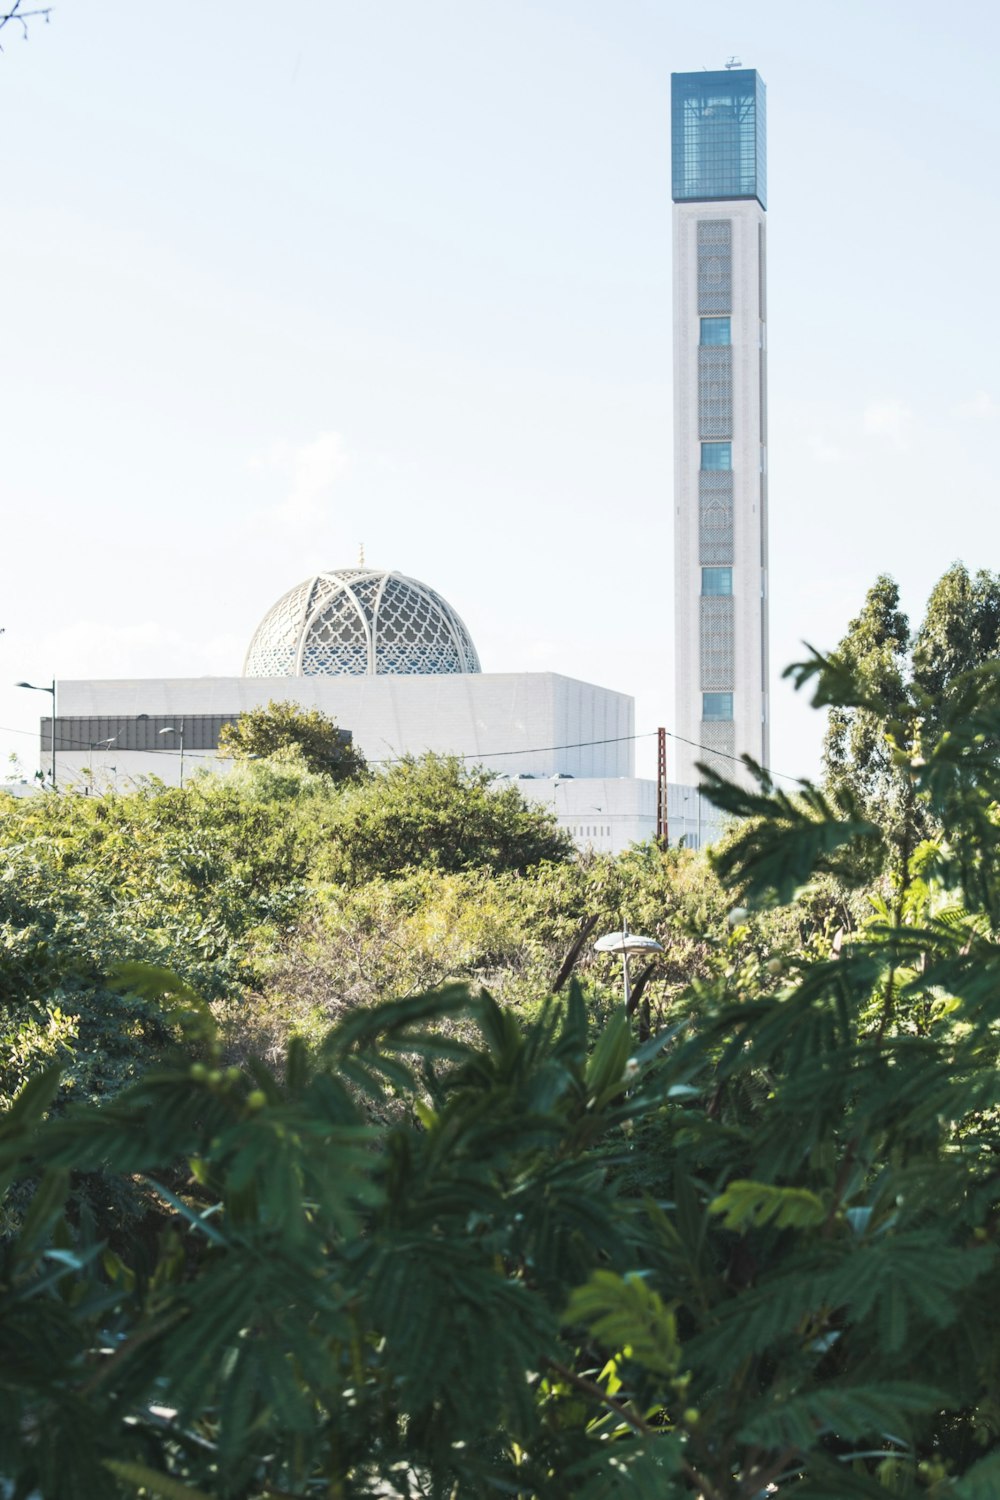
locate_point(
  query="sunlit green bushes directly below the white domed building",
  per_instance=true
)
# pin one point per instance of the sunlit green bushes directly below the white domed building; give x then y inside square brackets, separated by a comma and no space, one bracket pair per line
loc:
[211,881]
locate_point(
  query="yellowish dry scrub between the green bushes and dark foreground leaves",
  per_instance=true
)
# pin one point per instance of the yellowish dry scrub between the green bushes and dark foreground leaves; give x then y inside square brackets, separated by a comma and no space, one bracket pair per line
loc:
[391,937]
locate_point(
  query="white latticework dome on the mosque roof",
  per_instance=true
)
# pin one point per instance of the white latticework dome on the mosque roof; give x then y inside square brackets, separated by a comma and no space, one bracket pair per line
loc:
[356,623]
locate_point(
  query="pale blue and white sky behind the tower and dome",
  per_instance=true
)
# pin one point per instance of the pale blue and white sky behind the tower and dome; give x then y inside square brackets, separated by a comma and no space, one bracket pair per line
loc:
[284,281]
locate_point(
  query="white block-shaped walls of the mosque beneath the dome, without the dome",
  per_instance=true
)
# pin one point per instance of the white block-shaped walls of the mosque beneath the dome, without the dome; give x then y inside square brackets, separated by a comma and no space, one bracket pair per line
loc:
[564,745]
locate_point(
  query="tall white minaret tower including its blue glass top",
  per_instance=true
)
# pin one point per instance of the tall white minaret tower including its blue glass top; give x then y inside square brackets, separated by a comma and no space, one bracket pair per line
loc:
[720,421]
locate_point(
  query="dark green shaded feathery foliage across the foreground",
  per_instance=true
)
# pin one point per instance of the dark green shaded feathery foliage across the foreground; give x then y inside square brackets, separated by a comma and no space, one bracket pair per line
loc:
[455,1253]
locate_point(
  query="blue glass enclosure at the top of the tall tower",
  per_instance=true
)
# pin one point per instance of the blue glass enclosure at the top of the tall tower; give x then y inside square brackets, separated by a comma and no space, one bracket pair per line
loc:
[719,136]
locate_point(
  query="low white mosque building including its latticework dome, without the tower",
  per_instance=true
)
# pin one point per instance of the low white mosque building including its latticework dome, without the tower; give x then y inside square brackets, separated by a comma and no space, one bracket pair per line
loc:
[397,667]
